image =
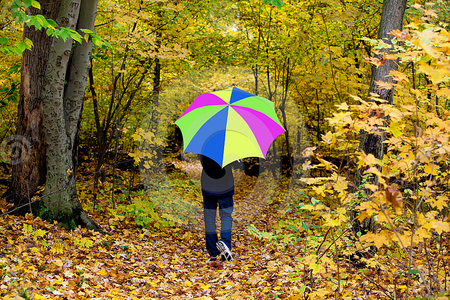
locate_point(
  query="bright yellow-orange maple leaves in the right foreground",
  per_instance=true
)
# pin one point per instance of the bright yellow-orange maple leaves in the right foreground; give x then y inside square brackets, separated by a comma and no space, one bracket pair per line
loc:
[409,198]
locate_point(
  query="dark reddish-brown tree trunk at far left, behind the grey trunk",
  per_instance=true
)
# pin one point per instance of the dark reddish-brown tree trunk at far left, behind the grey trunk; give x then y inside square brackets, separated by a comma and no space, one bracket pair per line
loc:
[29,173]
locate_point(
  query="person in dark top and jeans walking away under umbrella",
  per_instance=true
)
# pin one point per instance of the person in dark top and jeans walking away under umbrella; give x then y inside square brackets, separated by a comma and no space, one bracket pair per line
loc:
[217,190]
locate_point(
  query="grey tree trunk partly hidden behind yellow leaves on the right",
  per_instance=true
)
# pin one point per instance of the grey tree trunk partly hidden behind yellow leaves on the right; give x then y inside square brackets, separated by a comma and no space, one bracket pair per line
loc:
[391,18]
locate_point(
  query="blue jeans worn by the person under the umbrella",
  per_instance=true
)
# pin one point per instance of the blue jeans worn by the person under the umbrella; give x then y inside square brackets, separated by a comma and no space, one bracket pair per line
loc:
[226,221]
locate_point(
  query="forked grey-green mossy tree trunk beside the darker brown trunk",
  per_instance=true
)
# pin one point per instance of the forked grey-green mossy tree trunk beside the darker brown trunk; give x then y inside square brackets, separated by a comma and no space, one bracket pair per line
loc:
[62,106]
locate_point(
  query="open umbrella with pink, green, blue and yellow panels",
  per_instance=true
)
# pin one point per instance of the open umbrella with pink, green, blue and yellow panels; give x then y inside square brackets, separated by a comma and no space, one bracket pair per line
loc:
[229,125]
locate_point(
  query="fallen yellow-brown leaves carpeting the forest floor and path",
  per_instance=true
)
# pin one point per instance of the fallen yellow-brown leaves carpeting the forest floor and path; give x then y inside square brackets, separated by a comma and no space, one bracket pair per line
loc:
[39,260]
